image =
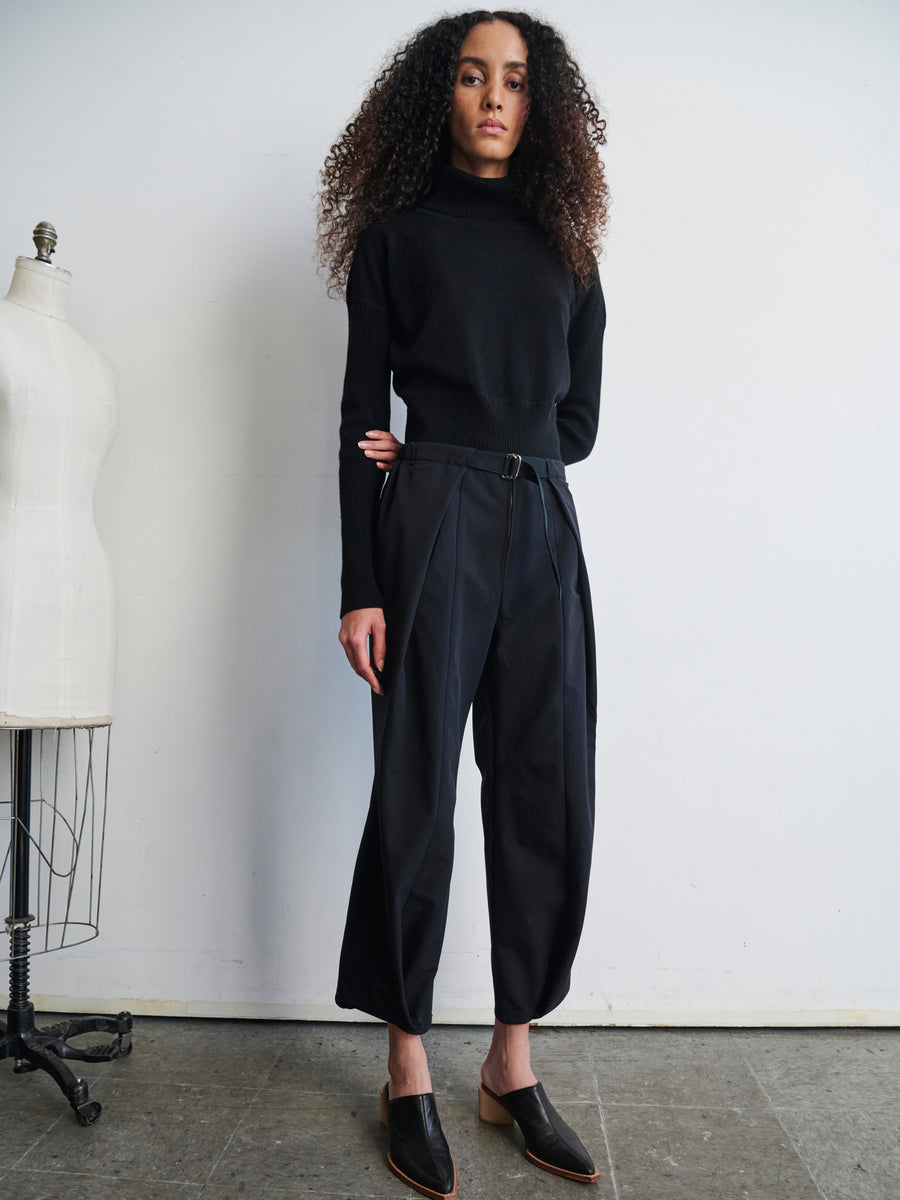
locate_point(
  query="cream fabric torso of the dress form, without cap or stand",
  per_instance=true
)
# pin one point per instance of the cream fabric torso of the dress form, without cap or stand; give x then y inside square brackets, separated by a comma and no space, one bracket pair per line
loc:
[57,425]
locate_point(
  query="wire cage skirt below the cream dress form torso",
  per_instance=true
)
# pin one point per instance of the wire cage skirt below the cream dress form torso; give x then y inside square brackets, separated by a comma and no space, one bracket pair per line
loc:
[67,835]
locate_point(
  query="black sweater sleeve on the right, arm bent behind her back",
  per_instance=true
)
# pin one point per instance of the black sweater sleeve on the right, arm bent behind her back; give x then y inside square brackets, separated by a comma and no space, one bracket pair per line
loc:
[579,411]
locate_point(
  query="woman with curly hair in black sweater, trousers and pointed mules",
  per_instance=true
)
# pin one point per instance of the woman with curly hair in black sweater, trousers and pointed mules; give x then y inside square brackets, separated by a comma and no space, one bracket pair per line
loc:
[463,209]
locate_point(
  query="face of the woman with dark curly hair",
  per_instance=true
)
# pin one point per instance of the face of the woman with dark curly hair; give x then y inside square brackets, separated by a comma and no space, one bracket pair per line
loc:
[490,104]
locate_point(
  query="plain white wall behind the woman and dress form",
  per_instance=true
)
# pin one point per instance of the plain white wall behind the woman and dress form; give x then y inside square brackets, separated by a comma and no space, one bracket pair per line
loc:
[740,512]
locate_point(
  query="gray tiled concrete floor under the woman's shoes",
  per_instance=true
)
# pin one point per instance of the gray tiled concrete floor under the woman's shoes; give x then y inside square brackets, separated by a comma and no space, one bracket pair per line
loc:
[273,1111]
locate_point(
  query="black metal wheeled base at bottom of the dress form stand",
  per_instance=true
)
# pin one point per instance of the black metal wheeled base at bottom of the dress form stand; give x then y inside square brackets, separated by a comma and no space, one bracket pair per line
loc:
[45,1051]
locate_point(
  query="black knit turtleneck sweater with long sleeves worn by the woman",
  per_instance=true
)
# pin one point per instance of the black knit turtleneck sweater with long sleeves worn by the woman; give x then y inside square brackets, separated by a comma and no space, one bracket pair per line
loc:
[490,341]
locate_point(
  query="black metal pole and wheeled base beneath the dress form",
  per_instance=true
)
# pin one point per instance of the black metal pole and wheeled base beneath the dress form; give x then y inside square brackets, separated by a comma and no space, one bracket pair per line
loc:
[32,1048]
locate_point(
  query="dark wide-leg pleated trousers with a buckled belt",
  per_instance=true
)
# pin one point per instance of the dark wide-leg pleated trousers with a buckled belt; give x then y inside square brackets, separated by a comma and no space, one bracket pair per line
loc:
[488,605]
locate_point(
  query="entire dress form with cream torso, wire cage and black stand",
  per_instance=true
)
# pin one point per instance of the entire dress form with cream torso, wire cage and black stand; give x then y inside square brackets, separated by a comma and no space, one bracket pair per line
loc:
[57,634]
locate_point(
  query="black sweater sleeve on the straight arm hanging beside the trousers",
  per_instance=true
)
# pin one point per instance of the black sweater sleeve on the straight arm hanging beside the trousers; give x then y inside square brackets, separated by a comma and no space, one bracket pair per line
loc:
[365,406]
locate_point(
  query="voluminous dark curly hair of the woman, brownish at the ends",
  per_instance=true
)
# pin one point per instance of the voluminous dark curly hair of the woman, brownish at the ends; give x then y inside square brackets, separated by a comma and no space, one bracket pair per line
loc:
[387,158]
